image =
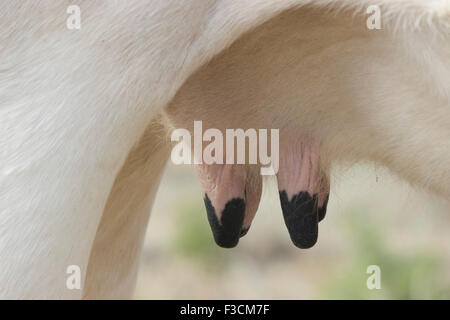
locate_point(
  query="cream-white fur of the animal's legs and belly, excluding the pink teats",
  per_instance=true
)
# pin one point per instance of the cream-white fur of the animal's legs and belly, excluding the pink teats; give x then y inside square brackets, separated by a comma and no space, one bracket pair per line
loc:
[74,103]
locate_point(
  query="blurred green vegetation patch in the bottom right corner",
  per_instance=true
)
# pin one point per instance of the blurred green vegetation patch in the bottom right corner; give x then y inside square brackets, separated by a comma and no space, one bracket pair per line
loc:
[409,276]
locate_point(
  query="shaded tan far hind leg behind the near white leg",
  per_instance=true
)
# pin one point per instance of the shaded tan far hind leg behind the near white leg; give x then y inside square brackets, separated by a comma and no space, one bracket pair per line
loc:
[114,258]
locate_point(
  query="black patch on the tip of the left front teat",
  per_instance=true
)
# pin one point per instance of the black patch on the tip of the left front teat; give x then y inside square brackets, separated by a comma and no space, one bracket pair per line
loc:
[228,231]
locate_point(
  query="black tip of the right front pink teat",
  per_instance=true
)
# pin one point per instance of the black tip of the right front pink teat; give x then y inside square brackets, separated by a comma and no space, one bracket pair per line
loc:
[301,218]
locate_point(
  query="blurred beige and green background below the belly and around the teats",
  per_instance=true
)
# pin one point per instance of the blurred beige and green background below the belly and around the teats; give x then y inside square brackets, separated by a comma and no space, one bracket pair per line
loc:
[372,219]
